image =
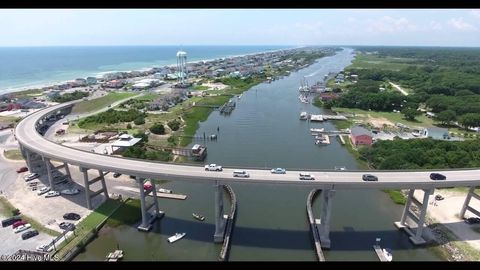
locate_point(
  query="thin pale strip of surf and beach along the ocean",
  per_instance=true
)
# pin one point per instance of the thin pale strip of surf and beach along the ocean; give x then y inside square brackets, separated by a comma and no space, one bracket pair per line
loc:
[100,74]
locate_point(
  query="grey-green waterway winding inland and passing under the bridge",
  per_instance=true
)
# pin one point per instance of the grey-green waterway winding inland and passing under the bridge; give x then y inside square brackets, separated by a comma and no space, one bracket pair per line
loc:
[264,130]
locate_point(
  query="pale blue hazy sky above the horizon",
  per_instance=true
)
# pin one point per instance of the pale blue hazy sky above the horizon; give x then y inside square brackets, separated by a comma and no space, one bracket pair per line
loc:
[299,27]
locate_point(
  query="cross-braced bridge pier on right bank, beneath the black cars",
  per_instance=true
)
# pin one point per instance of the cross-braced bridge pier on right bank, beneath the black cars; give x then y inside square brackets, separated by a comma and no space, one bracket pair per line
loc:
[415,237]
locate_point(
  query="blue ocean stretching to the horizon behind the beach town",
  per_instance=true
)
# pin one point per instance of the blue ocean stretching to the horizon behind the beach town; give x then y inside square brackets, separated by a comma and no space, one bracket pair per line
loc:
[30,67]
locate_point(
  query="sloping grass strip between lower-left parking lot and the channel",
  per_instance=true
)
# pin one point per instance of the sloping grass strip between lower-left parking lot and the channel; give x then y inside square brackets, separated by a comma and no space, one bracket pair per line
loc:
[88,226]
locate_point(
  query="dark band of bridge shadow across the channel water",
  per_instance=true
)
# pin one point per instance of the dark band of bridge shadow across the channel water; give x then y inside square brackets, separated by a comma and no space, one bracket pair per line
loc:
[348,239]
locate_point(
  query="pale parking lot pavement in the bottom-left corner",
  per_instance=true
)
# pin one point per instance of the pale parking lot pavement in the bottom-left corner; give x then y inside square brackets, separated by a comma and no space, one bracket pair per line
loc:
[12,242]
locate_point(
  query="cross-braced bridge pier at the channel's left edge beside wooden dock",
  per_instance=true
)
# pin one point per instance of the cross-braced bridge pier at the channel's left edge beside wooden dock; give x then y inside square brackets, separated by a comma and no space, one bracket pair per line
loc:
[147,218]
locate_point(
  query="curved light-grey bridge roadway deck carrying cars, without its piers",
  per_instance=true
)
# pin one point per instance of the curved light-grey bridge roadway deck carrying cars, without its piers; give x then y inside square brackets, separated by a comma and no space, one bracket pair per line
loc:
[28,137]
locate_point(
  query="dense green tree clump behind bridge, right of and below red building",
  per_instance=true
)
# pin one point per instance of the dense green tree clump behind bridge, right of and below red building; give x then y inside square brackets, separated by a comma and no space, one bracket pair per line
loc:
[422,154]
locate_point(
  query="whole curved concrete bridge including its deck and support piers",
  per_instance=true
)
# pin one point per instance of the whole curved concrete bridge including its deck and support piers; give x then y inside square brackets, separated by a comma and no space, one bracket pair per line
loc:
[38,153]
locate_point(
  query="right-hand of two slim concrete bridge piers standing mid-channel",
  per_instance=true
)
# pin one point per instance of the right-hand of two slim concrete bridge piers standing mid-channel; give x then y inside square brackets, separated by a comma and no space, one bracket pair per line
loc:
[324,226]
